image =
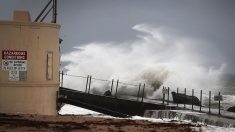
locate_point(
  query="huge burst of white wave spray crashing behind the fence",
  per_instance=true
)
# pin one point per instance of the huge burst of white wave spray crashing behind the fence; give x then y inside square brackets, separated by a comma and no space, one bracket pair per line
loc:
[157,57]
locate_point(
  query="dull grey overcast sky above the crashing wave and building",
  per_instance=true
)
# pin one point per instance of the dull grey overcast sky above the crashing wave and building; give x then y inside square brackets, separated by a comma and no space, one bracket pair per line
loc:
[85,21]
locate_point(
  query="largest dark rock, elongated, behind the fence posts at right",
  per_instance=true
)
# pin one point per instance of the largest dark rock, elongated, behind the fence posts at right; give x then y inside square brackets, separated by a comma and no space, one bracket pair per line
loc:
[182,99]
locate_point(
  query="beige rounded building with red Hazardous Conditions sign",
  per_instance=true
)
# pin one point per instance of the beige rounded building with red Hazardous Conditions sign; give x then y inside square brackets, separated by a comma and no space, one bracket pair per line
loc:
[29,73]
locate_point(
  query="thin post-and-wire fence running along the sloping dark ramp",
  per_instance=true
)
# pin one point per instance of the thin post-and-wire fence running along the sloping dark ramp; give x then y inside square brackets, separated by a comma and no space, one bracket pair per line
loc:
[139,92]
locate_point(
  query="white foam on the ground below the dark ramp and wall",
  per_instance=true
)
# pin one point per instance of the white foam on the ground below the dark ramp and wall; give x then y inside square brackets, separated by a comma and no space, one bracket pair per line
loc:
[73,110]
